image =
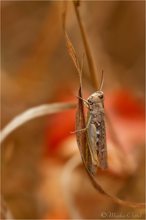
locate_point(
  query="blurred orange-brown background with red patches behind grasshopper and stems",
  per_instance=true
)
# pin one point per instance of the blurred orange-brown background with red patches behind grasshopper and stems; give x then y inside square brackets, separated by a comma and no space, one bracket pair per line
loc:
[36,69]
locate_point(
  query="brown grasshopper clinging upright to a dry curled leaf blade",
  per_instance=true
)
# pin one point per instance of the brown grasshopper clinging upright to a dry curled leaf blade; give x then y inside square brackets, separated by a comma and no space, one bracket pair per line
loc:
[95,128]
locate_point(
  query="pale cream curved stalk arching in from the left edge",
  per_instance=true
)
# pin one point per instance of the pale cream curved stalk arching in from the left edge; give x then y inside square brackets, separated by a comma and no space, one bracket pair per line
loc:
[32,113]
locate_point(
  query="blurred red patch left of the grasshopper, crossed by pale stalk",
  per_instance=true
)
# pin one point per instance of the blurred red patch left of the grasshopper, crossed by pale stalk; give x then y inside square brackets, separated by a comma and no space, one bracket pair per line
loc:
[60,125]
